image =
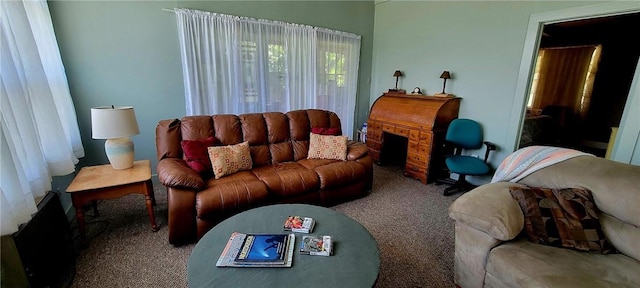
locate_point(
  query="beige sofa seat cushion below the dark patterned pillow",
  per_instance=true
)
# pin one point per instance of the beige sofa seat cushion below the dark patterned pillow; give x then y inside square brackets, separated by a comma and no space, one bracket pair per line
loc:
[523,264]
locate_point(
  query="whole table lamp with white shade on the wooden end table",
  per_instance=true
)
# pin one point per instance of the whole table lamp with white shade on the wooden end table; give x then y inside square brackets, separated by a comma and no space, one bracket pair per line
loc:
[116,124]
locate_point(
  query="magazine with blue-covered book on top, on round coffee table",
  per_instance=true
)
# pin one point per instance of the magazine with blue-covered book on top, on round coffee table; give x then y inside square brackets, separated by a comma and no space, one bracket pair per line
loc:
[257,250]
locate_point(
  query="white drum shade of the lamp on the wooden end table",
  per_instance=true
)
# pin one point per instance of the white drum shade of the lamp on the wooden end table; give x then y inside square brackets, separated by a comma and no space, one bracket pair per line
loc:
[108,122]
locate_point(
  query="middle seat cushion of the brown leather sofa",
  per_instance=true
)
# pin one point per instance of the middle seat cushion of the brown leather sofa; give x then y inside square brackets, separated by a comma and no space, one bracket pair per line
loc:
[287,179]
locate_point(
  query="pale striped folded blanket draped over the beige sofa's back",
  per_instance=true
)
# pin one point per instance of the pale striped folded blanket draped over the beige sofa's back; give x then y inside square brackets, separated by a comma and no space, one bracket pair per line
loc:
[531,159]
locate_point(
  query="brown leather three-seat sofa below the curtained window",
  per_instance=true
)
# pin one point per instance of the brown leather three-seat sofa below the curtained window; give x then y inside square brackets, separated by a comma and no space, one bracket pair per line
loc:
[281,172]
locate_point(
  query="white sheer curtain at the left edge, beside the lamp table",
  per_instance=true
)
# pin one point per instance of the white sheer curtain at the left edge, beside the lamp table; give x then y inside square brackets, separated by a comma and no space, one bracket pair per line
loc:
[40,135]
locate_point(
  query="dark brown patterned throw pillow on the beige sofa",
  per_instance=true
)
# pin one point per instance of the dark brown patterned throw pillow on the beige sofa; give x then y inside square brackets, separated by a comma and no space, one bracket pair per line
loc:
[562,218]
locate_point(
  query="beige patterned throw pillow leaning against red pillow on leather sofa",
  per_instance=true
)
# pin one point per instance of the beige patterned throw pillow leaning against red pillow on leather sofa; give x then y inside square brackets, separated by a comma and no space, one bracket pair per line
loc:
[230,159]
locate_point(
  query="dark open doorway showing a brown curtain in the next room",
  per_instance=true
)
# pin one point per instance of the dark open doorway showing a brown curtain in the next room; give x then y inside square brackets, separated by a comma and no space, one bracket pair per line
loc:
[581,106]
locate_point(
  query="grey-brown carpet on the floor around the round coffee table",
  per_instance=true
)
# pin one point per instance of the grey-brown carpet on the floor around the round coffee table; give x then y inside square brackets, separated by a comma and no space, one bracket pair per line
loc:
[408,220]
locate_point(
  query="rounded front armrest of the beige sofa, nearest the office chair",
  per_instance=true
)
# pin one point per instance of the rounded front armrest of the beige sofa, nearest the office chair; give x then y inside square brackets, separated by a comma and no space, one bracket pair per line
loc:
[490,209]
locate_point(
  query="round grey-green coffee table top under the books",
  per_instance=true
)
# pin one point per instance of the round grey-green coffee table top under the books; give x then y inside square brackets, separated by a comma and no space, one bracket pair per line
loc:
[355,262]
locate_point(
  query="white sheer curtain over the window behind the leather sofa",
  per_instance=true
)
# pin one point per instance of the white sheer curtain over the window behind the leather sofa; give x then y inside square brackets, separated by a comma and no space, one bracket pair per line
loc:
[241,65]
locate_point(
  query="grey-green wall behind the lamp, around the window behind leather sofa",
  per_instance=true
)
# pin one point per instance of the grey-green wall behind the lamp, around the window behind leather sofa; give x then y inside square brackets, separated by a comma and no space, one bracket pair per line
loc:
[126,53]
